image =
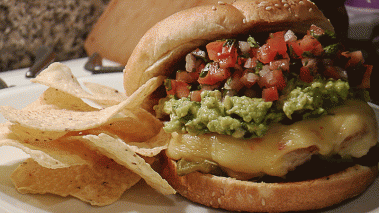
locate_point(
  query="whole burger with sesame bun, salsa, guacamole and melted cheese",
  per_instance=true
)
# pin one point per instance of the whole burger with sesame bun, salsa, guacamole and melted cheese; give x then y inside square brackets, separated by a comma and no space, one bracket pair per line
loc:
[267,110]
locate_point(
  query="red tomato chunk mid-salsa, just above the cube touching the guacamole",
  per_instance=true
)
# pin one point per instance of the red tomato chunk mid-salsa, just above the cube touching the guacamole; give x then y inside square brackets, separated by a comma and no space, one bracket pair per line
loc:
[273,78]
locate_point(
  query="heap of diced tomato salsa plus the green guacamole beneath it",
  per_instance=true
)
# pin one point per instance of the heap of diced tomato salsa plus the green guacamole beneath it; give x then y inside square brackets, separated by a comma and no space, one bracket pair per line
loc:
[240,88]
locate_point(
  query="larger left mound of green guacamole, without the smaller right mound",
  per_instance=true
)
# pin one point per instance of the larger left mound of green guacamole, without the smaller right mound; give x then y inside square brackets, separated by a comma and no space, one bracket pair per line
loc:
[236,116]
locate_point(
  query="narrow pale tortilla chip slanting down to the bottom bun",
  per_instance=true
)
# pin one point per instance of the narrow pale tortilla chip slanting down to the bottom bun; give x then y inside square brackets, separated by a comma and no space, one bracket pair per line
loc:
[120,152]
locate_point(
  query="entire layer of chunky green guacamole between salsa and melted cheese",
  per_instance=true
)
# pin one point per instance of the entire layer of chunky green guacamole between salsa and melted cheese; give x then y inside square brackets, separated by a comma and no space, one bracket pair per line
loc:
[244,117]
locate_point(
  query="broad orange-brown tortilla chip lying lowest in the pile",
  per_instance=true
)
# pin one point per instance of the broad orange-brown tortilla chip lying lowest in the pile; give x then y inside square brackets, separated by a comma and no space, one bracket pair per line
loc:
[100,185]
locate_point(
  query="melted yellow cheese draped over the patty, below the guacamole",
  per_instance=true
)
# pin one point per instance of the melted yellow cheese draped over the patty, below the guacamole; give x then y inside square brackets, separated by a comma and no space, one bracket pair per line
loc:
[350,130]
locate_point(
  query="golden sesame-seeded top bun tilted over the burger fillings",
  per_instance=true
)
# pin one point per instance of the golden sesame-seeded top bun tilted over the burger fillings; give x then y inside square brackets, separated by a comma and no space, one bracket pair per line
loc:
[172,38]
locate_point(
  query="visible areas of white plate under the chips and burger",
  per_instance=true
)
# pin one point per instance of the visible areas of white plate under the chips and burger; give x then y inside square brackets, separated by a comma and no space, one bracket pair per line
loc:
[141,198]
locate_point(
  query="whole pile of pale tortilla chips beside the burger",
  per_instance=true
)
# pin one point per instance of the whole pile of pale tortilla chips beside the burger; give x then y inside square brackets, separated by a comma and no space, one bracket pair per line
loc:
[92,143]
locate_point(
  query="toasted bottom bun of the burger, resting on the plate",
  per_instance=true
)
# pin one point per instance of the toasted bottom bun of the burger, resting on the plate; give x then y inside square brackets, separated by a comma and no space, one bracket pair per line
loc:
[235,195]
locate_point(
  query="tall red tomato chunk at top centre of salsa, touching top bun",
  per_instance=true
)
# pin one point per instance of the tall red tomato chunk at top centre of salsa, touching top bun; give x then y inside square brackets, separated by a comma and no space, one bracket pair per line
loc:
[275,46]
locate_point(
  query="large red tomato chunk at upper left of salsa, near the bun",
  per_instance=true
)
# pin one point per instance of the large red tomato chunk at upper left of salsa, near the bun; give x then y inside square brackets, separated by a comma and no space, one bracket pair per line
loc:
[222,52]
